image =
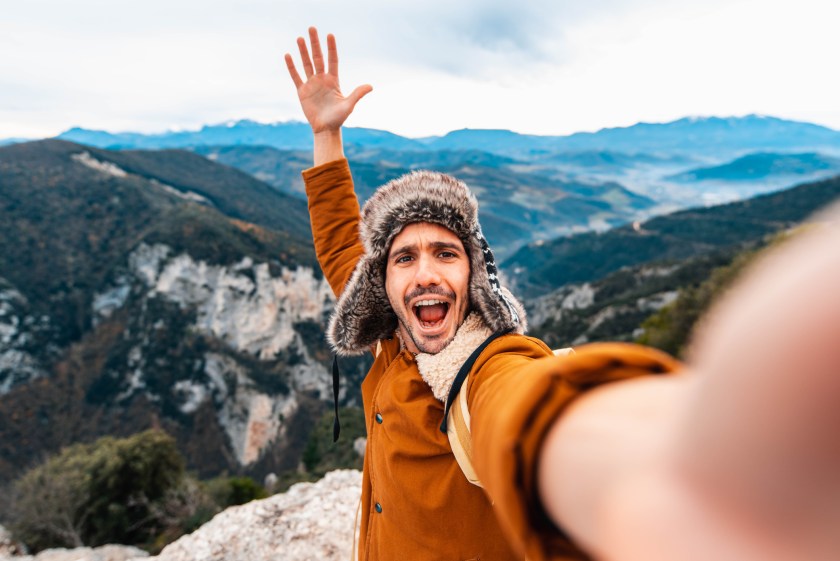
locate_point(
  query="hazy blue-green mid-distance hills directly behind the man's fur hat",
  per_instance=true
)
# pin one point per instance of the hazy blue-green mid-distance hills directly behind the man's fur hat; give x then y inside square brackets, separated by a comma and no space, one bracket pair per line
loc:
[518,204]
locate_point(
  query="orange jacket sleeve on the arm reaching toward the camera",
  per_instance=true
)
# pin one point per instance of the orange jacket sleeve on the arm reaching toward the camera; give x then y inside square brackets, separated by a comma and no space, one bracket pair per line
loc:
[517,390]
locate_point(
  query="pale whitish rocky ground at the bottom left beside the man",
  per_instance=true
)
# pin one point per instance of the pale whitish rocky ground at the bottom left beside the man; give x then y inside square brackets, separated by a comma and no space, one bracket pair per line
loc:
[309,521]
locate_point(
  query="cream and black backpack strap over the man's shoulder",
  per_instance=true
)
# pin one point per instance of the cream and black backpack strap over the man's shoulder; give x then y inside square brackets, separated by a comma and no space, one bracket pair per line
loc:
[456,413]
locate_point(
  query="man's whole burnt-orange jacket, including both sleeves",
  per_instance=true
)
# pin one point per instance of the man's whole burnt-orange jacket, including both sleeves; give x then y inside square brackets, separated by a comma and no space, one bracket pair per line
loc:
[416,502]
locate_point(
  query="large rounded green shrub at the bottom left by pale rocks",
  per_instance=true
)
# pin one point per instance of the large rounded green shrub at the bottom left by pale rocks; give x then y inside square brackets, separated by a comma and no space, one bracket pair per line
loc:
[112,491]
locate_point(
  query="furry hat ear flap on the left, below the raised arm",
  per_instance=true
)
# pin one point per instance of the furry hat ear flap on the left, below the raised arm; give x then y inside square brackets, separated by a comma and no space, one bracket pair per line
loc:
[363,314]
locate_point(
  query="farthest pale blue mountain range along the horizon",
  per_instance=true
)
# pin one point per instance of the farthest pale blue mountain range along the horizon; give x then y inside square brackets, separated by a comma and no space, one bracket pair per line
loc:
[693,136]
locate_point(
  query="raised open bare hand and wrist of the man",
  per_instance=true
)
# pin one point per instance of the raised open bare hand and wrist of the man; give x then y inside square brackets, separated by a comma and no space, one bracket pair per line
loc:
[324,106]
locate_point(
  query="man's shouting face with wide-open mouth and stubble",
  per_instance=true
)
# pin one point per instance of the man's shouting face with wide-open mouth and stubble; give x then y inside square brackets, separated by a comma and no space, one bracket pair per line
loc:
[427,280]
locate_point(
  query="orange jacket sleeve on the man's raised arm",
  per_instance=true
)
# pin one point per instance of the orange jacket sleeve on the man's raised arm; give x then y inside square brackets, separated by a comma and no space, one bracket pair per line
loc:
[334,214]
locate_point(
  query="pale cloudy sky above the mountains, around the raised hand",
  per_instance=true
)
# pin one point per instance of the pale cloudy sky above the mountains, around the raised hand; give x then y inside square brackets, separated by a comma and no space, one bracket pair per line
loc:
[539,67]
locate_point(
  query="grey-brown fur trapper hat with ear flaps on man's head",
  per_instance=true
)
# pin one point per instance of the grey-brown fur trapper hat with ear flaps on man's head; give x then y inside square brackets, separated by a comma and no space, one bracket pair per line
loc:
[363,314]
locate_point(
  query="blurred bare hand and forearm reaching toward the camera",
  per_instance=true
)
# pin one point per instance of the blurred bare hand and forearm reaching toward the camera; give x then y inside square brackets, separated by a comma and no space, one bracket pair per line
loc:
[738,459]
